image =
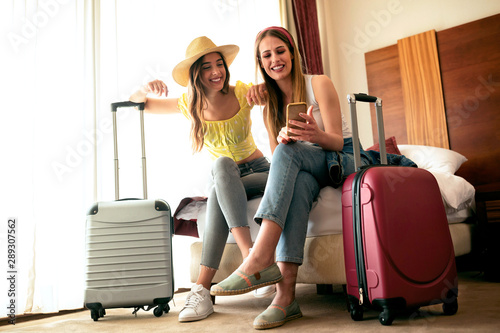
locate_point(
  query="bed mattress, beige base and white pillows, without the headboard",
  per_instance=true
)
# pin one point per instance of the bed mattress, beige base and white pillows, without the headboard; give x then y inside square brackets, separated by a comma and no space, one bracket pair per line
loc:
[323,253]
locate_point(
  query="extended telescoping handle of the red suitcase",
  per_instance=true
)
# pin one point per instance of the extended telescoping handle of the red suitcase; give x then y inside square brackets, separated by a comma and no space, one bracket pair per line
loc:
[352,98]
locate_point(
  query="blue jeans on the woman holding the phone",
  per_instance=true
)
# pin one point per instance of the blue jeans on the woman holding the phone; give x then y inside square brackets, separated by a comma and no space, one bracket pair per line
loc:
[298,171]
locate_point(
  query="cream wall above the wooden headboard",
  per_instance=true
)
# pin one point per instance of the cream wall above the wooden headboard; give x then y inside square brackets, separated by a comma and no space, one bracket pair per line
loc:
[350,28]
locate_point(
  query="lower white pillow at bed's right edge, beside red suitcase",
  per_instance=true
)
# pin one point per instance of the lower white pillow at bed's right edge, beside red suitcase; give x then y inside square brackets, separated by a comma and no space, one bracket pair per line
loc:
[457,193]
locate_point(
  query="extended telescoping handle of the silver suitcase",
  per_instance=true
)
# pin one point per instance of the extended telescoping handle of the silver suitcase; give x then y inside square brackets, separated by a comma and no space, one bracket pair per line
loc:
[114,109]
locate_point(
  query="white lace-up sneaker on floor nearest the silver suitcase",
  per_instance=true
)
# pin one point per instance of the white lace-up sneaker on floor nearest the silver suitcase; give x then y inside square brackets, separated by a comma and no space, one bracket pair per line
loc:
[198,304]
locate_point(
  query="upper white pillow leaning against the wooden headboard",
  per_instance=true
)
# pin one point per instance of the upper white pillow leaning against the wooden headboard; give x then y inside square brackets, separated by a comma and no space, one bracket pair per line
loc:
[433,158]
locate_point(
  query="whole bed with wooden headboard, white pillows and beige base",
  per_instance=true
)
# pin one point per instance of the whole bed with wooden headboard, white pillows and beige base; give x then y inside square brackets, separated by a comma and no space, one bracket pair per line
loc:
[460,105]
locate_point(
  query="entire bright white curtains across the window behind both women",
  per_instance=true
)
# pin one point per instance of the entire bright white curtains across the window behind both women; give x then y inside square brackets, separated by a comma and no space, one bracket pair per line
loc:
[63,63]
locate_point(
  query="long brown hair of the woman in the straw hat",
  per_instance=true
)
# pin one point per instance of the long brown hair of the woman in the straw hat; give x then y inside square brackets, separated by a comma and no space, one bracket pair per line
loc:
[197,102]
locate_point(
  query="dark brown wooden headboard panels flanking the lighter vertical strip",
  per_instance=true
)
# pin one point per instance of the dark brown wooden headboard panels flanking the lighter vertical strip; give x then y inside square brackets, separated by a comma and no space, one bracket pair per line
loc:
[469,63]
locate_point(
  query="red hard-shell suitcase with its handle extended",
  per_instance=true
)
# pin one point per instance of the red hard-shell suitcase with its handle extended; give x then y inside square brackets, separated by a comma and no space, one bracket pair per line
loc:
[397,245]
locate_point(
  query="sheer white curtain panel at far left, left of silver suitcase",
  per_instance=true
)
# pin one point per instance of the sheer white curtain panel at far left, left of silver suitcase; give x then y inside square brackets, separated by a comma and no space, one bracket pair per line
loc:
[46,165]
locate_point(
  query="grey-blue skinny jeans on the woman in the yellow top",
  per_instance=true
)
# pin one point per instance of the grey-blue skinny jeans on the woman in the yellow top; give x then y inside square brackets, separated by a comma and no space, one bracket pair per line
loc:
[227,202]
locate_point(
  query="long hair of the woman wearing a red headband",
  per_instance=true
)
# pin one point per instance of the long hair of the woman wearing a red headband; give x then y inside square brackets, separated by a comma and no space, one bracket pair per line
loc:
[274,114]
